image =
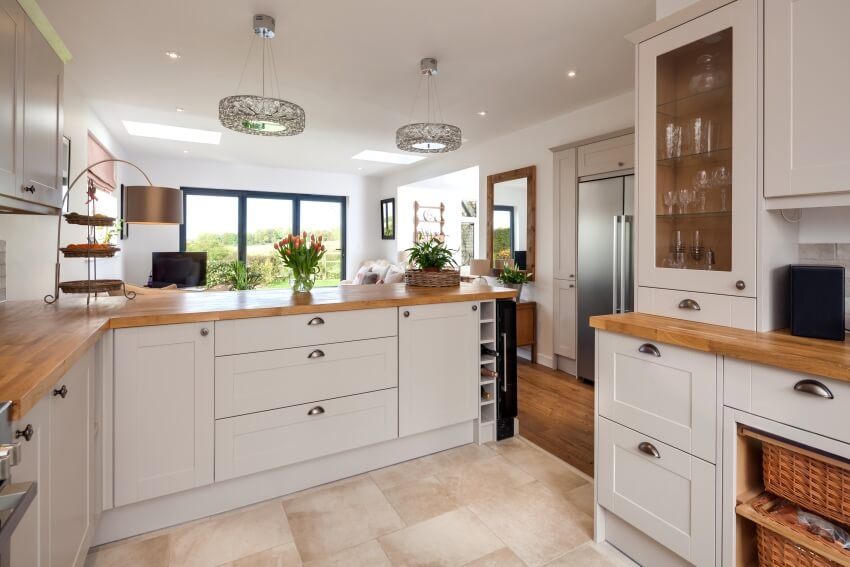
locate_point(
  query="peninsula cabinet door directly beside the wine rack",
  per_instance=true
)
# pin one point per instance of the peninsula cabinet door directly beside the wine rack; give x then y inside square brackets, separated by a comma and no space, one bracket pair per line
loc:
[438,350]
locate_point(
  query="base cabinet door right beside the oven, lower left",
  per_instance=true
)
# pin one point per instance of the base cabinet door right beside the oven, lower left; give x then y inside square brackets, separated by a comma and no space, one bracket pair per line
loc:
[30,540]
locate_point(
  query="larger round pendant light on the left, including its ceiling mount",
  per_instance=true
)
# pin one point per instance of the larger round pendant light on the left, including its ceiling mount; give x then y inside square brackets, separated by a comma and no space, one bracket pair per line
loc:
[259,114]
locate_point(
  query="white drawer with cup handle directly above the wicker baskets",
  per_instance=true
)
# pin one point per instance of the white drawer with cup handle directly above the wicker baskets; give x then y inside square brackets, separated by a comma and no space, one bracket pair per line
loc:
[770,392]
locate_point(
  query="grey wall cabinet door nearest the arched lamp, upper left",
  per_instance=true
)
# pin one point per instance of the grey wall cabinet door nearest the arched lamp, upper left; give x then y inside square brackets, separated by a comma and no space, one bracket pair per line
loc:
[42,121]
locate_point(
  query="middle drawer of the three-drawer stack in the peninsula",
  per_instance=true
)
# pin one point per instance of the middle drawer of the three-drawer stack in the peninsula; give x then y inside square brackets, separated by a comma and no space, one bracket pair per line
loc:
[247,383]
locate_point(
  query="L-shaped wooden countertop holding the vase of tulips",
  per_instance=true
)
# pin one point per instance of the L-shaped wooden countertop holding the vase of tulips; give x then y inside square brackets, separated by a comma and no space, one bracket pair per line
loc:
[39,343]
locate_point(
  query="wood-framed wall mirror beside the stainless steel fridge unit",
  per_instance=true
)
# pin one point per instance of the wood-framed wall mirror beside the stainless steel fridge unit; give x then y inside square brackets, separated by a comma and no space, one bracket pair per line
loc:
[511,204]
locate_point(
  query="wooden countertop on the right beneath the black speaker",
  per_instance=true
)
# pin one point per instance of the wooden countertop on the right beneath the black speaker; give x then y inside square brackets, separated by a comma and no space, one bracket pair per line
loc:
[830,359]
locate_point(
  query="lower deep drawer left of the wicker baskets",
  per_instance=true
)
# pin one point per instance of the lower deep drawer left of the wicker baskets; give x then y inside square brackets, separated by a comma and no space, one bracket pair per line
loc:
[670,496]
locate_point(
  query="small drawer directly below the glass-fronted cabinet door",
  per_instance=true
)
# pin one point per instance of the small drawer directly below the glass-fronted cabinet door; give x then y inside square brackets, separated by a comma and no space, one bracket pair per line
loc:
[726,310]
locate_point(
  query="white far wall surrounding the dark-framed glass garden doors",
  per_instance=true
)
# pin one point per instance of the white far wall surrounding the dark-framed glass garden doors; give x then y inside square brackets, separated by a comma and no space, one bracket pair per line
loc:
[363,212]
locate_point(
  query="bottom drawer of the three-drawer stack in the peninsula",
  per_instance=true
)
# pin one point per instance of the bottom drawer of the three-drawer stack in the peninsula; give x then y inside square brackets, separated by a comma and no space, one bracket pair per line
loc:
[261,441]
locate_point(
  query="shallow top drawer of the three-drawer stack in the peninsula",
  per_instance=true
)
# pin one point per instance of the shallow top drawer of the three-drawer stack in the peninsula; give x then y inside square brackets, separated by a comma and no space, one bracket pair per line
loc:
[290,331]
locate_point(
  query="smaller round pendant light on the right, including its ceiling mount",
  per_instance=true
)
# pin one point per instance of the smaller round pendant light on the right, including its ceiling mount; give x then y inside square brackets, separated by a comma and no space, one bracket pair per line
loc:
[428,137]
